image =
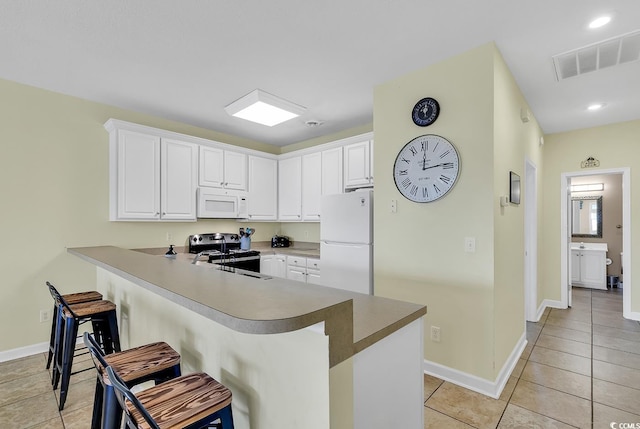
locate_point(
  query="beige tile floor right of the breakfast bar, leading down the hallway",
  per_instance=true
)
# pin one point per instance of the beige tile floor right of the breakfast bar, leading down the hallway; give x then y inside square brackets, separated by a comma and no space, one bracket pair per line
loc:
[581,365]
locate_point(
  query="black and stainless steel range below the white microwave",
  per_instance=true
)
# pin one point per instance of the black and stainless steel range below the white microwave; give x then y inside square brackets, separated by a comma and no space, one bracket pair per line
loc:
[224,249]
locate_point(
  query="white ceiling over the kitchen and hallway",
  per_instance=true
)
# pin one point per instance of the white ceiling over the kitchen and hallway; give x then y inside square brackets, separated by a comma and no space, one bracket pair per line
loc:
[186,60]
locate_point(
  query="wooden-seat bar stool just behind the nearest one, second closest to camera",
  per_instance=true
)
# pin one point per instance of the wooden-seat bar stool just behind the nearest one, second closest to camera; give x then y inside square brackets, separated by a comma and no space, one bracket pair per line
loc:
[156,361]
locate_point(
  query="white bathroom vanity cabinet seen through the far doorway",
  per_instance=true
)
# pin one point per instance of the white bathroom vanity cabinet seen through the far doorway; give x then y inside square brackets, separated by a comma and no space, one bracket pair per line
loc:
[589,265]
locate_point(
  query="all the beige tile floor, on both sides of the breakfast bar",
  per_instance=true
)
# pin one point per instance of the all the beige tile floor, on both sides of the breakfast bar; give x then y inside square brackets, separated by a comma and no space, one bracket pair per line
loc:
[581,365]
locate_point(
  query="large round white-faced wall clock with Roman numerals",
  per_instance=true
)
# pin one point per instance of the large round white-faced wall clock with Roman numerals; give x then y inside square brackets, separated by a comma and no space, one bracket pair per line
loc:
[426,168]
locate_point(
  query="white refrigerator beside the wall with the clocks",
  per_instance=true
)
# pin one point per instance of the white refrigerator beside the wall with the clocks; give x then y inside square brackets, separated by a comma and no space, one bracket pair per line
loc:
[346,241]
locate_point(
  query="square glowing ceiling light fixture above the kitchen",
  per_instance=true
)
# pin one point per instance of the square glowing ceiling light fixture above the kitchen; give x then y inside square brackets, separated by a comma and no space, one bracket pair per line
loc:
[264,108]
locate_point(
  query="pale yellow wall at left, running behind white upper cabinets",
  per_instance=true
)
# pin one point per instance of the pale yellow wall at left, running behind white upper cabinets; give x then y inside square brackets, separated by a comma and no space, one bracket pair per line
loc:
[54,187]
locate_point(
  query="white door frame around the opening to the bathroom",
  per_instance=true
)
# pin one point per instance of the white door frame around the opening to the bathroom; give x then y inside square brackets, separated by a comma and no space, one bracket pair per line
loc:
[566,235]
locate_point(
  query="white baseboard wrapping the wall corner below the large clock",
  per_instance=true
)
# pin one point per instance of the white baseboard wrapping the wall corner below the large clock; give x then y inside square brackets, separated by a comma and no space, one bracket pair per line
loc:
[475,383]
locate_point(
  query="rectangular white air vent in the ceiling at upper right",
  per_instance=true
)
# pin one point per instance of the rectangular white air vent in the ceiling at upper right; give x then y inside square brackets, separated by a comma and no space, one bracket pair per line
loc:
[611,52]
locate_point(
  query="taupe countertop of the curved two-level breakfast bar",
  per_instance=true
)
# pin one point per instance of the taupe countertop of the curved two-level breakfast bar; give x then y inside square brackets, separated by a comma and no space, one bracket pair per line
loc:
[353,321]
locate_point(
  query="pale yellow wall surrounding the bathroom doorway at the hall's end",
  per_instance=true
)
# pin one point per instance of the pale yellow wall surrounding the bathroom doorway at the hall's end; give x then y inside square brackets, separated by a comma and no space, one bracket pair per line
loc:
[615,146]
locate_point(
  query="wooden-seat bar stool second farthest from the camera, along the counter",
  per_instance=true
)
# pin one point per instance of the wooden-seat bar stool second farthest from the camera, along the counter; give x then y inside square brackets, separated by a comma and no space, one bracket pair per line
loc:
[101,314]
